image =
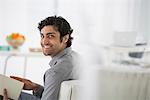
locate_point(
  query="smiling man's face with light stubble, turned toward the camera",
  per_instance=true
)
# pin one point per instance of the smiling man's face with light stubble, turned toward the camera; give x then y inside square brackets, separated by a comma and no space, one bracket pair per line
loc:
[50,41]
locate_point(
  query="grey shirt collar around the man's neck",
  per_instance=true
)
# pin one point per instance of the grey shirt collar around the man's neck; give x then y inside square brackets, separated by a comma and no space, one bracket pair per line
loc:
[59,55]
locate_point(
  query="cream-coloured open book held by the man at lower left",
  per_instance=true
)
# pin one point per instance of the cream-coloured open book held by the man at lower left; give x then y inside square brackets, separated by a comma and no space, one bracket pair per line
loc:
[13,86]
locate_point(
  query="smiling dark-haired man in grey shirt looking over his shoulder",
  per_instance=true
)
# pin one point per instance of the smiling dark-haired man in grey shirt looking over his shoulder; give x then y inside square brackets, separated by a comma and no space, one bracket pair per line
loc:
[56,42]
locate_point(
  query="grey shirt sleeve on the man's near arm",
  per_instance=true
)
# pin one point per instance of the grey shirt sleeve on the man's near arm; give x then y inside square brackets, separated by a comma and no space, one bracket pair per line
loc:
[53,79]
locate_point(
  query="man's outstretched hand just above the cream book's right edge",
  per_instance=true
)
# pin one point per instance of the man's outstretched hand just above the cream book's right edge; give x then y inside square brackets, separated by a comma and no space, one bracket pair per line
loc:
[28,85]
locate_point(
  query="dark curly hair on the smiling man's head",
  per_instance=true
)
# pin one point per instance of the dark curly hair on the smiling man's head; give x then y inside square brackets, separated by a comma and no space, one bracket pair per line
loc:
[60,24]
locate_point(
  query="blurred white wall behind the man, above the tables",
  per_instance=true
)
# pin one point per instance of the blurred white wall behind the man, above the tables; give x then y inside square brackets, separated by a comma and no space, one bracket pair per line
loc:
[93,21]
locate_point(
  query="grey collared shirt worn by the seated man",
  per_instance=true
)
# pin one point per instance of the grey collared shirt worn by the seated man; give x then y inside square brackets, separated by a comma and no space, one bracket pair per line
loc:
[62,69]
